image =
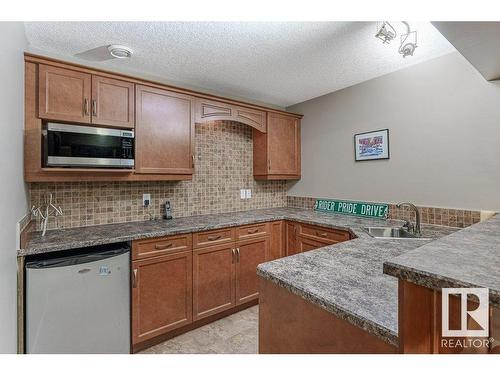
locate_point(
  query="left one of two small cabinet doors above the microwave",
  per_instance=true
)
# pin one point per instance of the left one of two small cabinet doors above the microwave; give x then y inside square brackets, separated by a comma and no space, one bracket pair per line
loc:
[63,94]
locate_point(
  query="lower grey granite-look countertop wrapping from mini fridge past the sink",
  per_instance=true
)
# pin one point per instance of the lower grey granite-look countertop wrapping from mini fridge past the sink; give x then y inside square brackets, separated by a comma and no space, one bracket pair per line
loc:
[345,279]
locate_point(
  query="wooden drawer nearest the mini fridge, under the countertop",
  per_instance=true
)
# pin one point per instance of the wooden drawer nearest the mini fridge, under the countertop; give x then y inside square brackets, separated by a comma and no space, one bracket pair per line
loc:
[159,246]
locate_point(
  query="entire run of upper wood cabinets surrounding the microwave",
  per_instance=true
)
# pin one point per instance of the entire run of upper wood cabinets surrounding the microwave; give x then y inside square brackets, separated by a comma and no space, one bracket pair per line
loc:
[164,118]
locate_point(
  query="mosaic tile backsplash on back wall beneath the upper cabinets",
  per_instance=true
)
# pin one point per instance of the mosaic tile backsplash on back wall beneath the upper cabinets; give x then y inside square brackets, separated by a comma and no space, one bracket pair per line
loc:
[224,165]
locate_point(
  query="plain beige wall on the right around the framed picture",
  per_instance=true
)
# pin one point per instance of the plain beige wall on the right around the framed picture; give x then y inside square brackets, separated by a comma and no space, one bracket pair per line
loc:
[444,122]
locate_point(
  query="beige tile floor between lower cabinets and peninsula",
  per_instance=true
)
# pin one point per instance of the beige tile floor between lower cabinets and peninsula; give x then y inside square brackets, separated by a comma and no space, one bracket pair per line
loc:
[234,334]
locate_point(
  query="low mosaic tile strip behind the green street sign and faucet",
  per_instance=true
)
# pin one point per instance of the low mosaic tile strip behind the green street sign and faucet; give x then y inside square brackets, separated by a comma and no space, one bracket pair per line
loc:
[428,215]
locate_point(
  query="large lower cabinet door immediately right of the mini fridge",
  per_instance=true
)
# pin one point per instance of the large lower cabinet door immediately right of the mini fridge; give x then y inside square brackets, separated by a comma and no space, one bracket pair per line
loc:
[161,295]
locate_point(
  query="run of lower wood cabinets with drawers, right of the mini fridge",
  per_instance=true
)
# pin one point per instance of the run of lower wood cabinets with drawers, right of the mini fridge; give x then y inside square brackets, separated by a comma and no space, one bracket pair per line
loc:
[180,279]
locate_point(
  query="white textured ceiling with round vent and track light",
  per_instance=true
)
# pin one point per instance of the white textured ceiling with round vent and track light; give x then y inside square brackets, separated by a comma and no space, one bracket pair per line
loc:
[280,63]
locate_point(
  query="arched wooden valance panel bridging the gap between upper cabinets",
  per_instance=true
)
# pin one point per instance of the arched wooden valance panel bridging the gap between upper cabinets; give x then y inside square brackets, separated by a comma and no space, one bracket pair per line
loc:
[209,110]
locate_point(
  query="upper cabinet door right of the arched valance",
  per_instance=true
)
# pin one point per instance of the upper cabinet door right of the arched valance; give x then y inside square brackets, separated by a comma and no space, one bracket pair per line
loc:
[283,144]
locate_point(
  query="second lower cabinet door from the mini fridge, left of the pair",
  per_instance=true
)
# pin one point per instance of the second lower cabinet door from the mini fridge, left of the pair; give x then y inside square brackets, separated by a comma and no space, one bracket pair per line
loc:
[213,280]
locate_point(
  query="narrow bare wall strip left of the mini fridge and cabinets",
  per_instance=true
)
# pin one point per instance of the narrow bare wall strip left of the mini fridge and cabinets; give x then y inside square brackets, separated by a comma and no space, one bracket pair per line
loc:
[12,190]
